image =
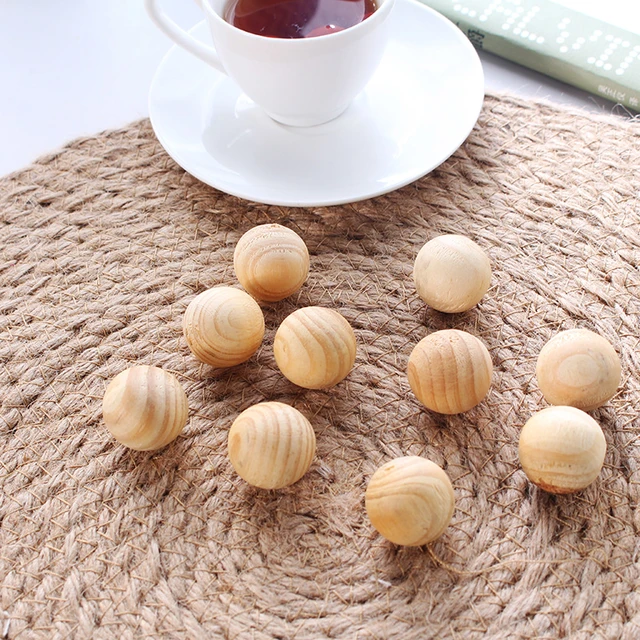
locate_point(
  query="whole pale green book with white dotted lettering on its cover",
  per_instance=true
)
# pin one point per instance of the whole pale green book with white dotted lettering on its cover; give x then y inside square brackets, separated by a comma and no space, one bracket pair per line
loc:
[552,39]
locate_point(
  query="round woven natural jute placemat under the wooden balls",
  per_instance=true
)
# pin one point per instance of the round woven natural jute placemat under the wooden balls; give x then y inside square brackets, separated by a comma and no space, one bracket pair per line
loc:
[106,242]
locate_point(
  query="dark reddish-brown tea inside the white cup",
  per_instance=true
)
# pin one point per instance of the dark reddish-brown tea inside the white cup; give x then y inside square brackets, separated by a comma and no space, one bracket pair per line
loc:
[297,18]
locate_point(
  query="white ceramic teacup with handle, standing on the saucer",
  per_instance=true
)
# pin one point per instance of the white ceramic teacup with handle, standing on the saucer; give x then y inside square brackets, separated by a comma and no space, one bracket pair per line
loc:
[299,82]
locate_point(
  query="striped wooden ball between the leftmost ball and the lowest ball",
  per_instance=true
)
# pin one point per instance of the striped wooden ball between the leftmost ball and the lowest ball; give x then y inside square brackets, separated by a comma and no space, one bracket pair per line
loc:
[271,445]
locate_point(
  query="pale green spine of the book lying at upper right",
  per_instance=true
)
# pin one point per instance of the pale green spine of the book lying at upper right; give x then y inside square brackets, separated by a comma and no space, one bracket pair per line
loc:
[539,60]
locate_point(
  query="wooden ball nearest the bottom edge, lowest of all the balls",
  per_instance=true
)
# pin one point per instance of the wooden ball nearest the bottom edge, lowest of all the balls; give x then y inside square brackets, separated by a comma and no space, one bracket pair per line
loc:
[410,501]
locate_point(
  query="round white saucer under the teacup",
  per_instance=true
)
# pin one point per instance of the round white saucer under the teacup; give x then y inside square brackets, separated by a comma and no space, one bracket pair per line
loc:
[416,111]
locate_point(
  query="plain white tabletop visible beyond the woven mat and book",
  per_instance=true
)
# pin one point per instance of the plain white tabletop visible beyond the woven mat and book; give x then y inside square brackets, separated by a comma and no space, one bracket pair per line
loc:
[70,68]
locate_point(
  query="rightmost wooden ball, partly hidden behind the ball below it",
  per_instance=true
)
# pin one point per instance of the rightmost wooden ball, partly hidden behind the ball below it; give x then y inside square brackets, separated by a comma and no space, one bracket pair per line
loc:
[578,368]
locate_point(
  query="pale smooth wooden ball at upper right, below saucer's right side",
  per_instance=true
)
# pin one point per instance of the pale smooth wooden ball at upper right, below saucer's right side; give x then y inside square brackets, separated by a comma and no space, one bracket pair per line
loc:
[452,273]
